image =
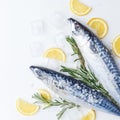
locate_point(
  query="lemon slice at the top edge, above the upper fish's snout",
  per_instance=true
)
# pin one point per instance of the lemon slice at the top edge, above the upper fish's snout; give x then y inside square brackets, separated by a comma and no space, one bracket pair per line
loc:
[79,8]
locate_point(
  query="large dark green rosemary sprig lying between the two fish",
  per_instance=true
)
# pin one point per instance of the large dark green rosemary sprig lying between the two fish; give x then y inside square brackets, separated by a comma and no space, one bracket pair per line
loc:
[84,74]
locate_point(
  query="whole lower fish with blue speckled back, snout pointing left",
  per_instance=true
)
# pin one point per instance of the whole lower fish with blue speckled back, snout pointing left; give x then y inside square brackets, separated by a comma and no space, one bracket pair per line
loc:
[74,90]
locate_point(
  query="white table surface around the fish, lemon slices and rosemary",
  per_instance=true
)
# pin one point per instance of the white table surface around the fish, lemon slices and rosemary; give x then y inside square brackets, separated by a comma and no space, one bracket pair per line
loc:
[16,38]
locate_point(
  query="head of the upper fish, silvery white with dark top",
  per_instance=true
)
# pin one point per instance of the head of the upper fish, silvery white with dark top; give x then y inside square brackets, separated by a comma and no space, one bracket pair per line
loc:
[79,32]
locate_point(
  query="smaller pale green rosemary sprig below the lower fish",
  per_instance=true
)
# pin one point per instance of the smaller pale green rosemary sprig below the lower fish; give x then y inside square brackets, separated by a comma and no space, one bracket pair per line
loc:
[63,104]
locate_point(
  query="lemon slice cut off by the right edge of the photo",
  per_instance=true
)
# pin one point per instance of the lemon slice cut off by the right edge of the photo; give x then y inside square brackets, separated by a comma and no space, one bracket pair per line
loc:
[116,45]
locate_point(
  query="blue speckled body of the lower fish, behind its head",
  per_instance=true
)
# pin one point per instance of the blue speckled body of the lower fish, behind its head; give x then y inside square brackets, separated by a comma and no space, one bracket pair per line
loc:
[83,92]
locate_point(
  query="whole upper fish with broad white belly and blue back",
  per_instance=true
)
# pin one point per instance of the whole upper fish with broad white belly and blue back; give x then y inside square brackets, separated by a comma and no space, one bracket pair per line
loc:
[98,58]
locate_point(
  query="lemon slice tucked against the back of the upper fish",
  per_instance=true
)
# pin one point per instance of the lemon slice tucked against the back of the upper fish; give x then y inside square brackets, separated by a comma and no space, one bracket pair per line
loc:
[100,26]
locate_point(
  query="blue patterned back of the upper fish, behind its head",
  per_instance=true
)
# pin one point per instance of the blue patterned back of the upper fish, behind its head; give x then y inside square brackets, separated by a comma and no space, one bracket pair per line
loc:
[98,48]
